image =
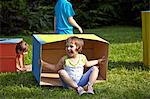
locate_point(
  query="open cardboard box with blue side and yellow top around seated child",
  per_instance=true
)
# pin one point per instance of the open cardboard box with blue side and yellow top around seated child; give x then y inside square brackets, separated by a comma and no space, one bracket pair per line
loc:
[51,47]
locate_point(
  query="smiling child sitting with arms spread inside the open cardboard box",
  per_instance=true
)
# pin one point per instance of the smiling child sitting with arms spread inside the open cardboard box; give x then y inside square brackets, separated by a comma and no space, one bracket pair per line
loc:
[71,67]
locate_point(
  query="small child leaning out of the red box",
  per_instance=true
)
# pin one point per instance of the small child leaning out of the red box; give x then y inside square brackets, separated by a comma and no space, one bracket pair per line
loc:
[21,49]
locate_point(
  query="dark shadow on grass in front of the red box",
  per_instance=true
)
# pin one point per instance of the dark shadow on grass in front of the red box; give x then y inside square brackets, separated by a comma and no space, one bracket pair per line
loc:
[17,79]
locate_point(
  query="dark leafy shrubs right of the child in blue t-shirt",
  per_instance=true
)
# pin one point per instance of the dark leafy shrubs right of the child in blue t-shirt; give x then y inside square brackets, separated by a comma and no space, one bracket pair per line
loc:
[92,14]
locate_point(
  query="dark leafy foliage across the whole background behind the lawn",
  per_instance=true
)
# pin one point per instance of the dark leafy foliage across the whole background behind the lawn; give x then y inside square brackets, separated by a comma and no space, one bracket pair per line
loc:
[28,16]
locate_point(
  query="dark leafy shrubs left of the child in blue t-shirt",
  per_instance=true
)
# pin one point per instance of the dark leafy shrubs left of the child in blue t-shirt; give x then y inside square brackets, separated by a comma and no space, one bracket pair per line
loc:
[22,16]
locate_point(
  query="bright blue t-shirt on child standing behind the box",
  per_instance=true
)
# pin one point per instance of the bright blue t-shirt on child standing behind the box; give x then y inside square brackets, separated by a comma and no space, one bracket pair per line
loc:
[63,10]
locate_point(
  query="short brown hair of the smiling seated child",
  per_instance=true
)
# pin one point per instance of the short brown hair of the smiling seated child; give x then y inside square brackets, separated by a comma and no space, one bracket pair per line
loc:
[77,41]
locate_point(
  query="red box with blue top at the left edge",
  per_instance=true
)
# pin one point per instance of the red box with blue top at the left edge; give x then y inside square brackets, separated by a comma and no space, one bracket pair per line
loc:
[8,54]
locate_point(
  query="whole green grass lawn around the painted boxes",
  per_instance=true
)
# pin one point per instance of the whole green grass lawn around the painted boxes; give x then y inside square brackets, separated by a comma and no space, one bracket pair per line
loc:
[127,77]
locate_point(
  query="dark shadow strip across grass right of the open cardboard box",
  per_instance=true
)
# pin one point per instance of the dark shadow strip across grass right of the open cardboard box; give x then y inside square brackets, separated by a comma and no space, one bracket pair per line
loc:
[128,65]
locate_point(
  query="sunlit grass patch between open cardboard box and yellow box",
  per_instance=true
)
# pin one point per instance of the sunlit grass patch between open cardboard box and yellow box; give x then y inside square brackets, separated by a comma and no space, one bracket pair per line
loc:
[130,52]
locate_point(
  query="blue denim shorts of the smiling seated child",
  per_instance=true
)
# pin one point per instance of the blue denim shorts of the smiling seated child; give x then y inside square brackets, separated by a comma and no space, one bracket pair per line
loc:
[83,81]
